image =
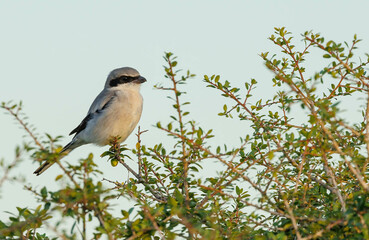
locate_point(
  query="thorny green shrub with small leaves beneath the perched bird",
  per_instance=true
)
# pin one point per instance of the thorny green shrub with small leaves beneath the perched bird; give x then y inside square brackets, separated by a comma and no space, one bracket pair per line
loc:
[300,173]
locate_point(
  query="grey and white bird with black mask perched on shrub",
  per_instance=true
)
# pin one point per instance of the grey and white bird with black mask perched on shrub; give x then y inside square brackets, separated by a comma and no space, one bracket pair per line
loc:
[115,112]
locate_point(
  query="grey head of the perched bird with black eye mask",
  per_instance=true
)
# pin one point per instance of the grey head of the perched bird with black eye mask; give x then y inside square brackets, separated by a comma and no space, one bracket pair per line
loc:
[124,76]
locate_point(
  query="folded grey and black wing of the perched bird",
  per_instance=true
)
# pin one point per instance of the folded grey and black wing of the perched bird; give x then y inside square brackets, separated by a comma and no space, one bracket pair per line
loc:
[101,102]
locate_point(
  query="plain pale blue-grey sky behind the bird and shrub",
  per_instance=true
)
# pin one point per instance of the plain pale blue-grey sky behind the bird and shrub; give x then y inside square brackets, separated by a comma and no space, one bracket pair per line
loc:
[55,58]
